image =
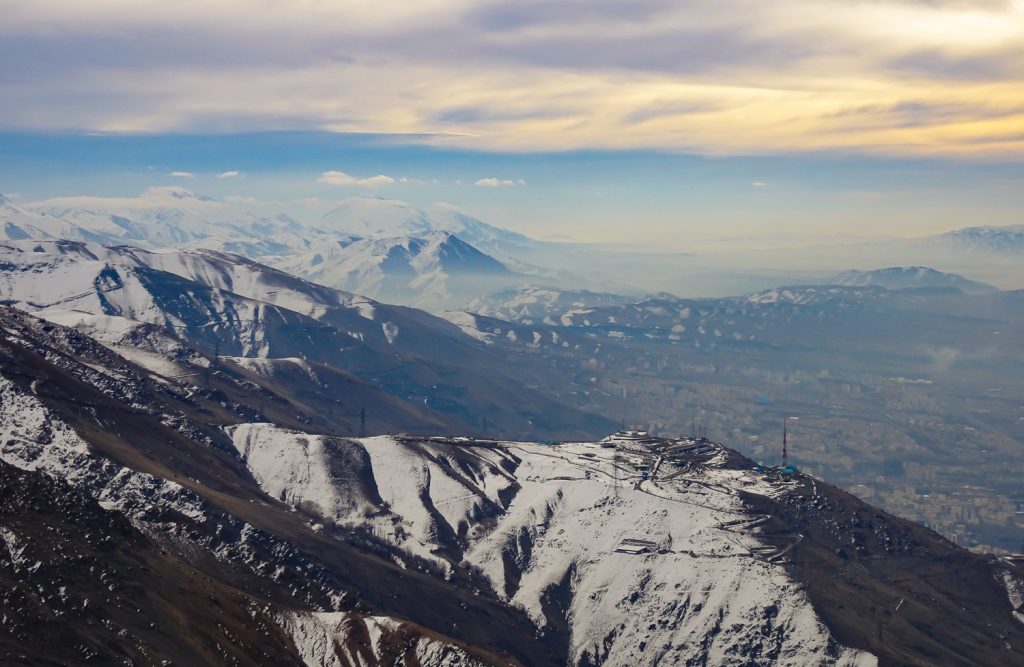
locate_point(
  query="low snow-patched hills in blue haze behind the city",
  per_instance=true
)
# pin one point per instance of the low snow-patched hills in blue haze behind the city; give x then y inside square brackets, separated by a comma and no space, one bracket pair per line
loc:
[820,317]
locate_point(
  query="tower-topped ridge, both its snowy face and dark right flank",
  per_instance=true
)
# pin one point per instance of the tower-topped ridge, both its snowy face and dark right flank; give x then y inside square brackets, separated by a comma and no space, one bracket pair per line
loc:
[707,564]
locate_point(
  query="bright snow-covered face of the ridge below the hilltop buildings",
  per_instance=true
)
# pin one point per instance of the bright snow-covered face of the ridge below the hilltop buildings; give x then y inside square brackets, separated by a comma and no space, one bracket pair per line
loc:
[641,574]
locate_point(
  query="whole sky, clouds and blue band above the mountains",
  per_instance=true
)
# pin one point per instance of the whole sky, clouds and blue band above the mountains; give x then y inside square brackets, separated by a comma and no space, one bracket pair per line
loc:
[651,121]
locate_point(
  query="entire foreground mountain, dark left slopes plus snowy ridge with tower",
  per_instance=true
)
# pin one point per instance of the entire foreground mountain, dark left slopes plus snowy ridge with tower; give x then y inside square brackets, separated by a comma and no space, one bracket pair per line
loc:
[134,493]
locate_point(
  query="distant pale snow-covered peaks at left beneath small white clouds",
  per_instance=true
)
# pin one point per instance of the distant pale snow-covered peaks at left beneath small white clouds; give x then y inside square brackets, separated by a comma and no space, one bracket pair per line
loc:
[381,248]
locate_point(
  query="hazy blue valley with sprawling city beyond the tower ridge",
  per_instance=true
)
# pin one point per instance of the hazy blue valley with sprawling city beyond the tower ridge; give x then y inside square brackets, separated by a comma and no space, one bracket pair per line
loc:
[910,399]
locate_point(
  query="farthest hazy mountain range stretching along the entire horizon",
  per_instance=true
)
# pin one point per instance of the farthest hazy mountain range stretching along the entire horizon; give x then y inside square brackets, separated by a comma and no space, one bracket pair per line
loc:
[439,258]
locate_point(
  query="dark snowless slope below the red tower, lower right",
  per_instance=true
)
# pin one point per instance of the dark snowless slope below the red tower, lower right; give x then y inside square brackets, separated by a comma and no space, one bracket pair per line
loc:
[892,588]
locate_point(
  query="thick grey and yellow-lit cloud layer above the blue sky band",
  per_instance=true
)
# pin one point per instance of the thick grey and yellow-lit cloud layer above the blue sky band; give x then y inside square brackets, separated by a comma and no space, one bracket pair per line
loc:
[908,77]
